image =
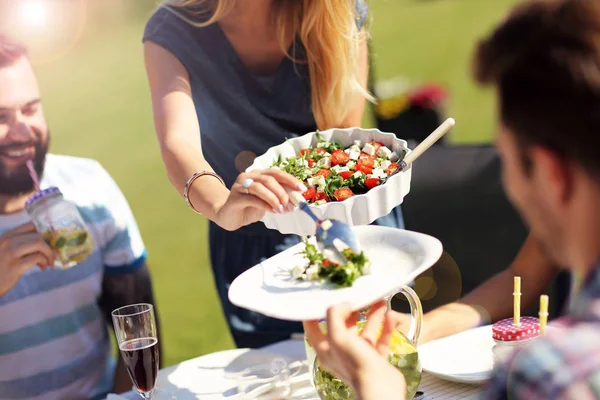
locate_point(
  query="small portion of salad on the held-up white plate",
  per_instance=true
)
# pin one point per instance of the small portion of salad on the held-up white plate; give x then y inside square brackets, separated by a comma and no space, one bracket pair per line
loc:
[318,268]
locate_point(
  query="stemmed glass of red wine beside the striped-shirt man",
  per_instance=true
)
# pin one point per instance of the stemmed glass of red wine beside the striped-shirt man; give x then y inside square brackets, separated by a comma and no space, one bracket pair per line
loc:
[135,329]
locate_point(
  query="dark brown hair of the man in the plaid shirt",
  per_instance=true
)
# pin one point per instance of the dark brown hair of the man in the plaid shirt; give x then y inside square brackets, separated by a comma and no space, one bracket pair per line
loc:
[545,62]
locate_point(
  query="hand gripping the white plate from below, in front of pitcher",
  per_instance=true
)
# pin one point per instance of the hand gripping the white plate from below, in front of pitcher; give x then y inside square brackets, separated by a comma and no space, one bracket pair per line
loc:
[362,360]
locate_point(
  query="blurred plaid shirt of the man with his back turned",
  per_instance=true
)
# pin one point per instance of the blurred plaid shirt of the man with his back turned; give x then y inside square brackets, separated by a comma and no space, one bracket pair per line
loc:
[565,364]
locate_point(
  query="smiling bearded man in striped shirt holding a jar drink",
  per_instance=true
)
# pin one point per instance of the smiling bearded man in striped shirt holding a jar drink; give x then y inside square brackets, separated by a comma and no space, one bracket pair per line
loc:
[53,338]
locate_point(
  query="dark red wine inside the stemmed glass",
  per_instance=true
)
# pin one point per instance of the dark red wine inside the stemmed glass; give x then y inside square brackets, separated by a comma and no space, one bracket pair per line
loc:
[141,359]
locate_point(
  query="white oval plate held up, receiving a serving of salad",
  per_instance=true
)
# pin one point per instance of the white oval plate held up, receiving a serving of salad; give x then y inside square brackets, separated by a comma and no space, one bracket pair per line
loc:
[397,256]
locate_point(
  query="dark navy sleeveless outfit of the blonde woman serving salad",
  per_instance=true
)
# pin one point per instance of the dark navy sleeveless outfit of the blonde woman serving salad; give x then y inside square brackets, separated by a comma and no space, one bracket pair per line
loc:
[241,115]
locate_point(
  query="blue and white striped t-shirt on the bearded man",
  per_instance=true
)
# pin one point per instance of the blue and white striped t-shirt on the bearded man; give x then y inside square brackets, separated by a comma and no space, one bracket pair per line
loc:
[54,340]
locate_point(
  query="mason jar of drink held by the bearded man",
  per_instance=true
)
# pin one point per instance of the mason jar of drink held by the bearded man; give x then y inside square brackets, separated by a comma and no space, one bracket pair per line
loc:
[61,225]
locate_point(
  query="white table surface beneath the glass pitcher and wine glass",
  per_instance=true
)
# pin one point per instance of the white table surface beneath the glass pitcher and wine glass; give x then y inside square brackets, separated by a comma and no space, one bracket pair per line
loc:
[205,377]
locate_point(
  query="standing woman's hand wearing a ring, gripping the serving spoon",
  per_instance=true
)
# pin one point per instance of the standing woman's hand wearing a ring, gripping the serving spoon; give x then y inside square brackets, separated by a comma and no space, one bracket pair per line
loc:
[254,194]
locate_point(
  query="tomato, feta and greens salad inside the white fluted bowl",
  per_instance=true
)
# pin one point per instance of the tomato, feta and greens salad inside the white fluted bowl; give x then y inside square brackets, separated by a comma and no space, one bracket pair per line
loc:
[332,173]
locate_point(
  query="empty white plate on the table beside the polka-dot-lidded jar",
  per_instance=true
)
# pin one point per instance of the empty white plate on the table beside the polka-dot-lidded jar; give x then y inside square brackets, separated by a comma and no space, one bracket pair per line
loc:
[465,357]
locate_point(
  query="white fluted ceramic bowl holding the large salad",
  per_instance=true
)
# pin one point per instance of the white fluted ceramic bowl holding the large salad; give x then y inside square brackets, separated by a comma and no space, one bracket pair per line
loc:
[357,210]
